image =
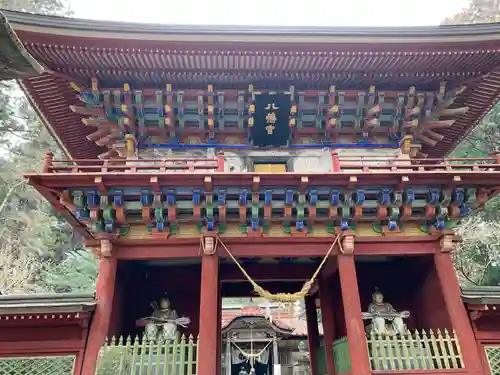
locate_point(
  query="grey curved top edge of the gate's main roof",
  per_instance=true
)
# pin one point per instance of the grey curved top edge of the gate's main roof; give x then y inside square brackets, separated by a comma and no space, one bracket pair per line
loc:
[283,34]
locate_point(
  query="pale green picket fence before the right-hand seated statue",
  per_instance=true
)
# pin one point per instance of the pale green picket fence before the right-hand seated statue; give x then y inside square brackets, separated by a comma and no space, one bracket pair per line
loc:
[415,351]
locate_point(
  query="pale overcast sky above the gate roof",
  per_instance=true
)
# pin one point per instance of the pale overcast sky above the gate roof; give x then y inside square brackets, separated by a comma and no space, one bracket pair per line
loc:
[272,12]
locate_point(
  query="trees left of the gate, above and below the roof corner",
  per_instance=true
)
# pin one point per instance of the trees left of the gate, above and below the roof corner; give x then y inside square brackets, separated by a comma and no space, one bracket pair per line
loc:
[38,249]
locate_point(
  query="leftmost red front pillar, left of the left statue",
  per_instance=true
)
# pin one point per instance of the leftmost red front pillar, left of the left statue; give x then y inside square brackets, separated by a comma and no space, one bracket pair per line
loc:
[99,326]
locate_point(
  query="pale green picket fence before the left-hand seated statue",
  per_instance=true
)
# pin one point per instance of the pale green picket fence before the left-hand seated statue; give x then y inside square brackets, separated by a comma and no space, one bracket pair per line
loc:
[124,356]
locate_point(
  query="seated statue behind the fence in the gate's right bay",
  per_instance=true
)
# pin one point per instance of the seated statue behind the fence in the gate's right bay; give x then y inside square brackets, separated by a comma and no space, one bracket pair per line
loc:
[384,318]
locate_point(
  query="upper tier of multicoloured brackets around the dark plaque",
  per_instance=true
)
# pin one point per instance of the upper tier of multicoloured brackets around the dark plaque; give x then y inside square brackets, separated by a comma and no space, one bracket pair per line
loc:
[226,117]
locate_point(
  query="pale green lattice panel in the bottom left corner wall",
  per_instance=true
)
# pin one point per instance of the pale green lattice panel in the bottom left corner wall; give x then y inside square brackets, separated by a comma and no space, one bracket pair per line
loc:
[60,365]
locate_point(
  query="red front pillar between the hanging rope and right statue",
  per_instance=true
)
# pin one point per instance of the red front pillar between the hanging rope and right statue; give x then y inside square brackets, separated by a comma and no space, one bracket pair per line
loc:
[356,335]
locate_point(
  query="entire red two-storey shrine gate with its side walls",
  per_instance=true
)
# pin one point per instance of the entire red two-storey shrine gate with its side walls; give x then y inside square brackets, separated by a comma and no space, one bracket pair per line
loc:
[301,165]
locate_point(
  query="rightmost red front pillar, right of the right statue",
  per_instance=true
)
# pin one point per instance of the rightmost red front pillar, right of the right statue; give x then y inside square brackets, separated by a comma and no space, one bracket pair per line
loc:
[458,314]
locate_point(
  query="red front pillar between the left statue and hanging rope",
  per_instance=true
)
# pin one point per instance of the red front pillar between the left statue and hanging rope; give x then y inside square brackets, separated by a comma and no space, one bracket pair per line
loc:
[208,362]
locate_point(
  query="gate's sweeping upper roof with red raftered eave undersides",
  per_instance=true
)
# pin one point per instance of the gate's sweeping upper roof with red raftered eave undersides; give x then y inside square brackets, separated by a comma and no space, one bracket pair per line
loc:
[268,57]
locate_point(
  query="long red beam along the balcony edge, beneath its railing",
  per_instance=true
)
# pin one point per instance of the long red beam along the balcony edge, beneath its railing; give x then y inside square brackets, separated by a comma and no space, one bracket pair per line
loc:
[421,175]
